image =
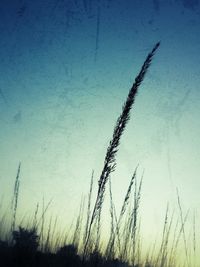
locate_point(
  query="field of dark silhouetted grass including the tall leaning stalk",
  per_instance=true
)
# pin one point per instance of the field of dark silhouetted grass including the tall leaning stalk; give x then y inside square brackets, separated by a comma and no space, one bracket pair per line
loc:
[36,242]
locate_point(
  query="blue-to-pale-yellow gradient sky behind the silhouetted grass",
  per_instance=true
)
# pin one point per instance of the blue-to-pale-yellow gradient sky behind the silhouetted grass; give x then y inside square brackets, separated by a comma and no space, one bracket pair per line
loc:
[66,69]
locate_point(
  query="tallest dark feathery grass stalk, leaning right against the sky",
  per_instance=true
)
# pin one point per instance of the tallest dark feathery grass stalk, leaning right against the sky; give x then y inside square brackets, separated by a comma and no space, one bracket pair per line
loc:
[110,158]
